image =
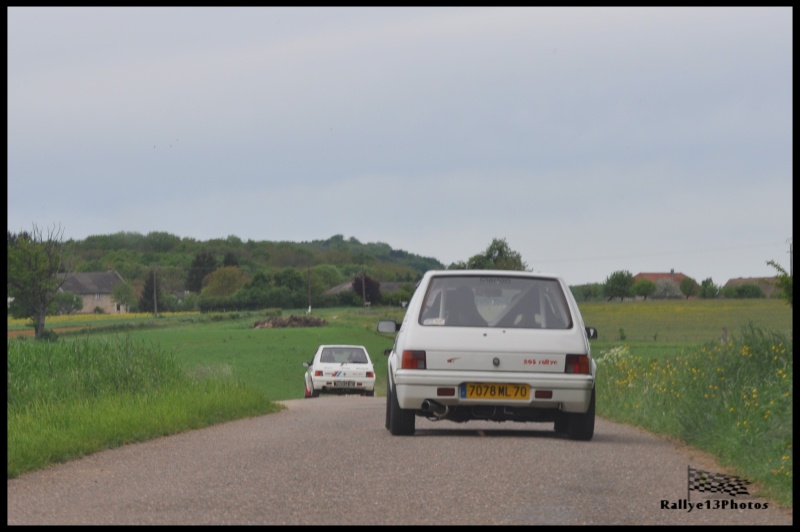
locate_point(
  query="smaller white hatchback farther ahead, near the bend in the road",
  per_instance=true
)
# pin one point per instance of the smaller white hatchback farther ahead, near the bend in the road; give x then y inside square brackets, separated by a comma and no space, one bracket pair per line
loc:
[340,369]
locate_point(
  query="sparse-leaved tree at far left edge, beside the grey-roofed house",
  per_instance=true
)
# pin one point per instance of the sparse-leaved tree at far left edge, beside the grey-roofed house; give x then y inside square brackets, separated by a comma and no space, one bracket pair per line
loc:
[35,272]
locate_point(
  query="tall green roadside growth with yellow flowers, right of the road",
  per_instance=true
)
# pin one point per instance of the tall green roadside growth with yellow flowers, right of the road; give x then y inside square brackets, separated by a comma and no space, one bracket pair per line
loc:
[732,399]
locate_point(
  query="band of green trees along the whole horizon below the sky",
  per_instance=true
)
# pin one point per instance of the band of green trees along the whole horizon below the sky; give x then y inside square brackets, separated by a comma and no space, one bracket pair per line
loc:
[163,272]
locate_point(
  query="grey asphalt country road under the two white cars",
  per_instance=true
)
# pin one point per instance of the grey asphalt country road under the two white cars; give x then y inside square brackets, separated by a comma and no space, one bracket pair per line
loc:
[330,461]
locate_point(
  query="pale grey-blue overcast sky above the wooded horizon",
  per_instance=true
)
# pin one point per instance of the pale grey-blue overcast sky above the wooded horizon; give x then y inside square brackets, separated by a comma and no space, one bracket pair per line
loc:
[591,139]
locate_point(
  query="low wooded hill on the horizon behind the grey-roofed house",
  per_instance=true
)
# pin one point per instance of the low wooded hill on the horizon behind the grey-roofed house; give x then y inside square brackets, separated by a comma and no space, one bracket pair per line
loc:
[331,262]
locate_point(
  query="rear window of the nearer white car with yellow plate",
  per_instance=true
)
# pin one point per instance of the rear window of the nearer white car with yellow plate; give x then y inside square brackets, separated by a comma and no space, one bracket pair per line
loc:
[497,301]
